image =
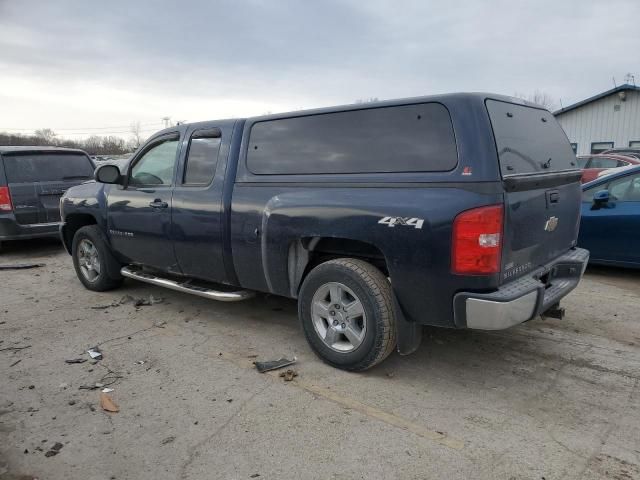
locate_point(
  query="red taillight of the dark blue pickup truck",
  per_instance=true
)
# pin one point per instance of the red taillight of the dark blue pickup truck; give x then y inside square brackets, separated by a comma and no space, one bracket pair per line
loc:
[477,241]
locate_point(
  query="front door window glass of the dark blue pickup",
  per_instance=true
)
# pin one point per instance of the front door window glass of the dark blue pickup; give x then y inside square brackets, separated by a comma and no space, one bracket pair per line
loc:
[157,166]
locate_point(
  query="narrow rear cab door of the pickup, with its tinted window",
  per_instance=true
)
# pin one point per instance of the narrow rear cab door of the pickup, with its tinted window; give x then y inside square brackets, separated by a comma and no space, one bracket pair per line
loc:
[197,216]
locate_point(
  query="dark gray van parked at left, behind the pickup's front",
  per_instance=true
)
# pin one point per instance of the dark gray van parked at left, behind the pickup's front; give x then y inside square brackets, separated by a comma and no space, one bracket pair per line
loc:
[32,180]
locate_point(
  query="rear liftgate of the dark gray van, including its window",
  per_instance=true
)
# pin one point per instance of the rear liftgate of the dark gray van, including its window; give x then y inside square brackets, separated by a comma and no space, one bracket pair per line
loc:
[37,180]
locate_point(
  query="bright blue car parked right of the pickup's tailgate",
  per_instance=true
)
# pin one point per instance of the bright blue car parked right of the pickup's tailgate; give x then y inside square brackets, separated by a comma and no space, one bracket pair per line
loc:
[610,227]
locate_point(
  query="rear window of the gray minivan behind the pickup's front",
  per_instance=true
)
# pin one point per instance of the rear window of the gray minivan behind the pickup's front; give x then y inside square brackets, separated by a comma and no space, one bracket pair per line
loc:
[47,167]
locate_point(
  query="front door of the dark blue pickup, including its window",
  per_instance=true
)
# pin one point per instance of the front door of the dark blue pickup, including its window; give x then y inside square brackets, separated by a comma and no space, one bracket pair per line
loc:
[139,213]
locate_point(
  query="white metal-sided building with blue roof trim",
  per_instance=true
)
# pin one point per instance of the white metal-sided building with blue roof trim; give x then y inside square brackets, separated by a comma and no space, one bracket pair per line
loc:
[608,120]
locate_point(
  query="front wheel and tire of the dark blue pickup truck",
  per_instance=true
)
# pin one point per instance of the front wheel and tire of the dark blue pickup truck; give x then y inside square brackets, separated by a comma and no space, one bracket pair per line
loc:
[95,265]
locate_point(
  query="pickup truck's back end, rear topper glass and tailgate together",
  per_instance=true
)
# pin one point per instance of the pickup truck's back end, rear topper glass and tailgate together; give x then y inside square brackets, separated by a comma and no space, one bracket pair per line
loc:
[542,187]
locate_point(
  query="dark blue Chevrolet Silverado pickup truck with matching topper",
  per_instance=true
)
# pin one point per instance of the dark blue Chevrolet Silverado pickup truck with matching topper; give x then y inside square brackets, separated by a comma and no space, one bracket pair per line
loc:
[457,211]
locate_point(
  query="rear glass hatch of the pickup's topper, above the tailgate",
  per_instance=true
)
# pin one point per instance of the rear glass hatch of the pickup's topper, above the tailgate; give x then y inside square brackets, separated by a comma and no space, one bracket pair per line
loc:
[529,140]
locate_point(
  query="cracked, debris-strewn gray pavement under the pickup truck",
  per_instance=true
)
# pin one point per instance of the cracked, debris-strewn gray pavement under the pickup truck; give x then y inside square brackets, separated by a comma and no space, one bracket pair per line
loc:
[552,399]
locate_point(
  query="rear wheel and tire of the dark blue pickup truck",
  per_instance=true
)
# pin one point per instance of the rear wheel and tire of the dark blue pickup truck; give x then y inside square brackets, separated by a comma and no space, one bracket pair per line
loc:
[341,336]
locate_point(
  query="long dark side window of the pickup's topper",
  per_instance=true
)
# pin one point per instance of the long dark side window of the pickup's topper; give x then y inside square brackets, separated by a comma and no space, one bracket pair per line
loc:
[406,138]
